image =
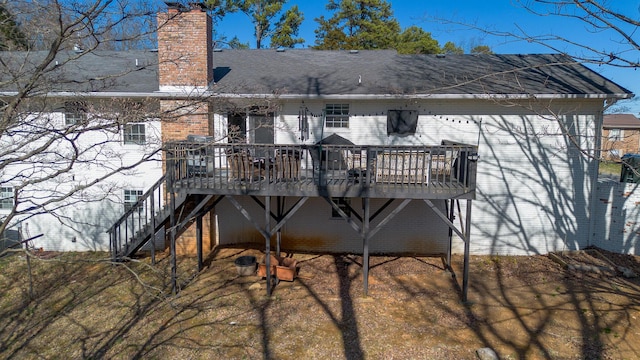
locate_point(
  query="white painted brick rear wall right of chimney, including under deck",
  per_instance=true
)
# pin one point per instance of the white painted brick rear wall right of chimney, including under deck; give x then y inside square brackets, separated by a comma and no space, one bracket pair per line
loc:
[532,186]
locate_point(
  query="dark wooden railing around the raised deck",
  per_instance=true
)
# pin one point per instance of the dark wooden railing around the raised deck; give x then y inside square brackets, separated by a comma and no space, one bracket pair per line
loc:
[342,169]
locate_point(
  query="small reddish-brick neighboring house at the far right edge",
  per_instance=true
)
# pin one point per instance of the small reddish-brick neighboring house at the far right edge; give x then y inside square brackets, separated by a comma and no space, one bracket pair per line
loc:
[620,135]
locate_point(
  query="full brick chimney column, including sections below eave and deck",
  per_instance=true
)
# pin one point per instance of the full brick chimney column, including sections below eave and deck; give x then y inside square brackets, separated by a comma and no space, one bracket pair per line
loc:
[184,52]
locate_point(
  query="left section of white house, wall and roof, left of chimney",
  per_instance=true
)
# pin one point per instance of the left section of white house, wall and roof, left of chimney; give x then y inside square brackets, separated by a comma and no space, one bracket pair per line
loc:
[73,160]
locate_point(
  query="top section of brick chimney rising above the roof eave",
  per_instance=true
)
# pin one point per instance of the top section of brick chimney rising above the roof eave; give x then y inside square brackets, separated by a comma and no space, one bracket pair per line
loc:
[185,48]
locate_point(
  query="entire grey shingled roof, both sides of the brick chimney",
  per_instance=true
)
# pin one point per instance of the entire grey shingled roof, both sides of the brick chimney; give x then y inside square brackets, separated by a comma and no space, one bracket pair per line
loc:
[314,73]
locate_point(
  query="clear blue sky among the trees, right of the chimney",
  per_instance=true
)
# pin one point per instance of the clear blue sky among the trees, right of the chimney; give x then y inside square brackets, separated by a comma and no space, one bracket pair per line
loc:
[499,15]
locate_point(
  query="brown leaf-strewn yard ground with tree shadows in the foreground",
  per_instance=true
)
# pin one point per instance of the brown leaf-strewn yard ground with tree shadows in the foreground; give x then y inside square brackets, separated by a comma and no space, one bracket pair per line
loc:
[577,307]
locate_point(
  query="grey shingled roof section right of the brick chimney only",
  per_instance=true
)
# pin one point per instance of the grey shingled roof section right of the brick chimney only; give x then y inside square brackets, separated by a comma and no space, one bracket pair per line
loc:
[384,72]
